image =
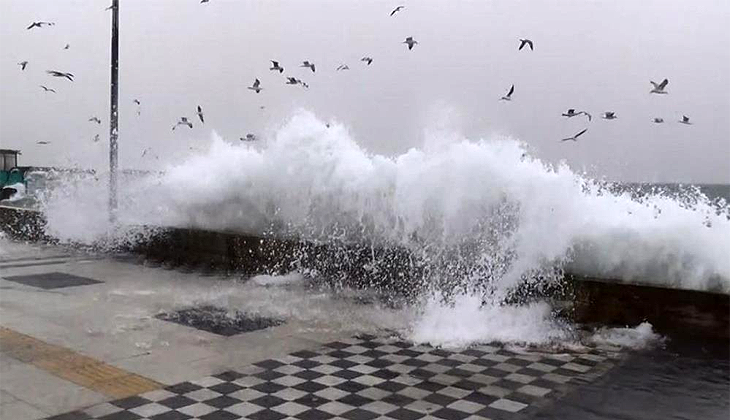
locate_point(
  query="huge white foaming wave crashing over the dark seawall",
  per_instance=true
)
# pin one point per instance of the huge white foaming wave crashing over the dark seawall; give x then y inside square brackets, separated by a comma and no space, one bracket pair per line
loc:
[485,205]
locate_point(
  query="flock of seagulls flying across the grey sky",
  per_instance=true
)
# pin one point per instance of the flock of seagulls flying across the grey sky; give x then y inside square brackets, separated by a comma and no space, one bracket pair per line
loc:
[658,88]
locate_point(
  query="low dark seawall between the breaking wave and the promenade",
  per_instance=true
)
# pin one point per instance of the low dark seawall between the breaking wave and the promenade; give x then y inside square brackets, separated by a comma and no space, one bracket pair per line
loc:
[592,300]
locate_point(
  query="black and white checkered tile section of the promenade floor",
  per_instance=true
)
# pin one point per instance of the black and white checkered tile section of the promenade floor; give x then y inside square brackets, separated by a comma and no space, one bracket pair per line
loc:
[366,378]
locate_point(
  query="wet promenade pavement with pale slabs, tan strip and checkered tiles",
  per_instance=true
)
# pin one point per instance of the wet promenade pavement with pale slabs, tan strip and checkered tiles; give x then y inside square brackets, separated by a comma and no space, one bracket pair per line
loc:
[93,337]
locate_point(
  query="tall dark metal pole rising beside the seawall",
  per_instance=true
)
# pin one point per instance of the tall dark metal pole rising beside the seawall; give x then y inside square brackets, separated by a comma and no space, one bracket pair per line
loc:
[113,119]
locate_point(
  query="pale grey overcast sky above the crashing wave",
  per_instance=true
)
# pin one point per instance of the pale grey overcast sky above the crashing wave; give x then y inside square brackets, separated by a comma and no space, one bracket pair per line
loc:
[176,54]
